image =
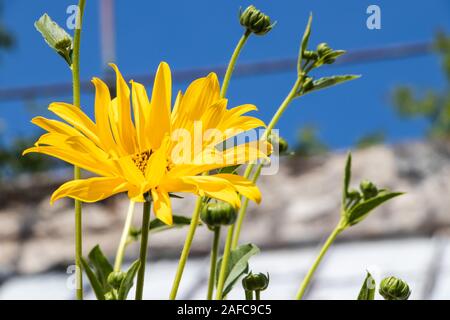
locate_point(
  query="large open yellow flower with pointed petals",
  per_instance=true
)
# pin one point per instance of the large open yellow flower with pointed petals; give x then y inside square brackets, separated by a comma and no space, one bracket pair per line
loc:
[135,147]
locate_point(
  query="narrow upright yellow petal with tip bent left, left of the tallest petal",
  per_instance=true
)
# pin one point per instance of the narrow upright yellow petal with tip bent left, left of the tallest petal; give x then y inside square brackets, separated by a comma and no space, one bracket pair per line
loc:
[125,127]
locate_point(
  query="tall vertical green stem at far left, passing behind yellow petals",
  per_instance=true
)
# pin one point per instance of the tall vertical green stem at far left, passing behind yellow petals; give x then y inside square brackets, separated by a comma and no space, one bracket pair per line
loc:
[77,172]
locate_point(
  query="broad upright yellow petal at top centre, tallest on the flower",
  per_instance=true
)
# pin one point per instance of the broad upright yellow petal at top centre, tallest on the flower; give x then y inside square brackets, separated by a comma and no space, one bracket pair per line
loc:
[159,118]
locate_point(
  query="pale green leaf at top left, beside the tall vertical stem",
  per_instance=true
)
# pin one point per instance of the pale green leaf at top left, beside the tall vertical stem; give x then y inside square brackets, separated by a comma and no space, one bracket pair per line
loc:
[55,36]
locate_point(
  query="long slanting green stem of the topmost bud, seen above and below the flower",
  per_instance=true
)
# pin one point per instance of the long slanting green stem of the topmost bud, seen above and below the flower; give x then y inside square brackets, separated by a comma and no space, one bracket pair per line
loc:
[198,206]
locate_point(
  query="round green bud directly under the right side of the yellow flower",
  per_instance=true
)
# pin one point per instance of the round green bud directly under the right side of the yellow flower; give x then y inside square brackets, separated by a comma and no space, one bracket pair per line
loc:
[216,214]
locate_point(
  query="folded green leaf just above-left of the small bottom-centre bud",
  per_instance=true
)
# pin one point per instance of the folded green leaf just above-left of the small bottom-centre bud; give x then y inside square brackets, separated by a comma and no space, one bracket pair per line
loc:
[237,265]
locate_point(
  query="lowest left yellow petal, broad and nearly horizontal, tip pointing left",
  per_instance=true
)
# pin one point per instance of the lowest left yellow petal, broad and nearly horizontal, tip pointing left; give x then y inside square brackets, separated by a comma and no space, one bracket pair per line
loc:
[90,190]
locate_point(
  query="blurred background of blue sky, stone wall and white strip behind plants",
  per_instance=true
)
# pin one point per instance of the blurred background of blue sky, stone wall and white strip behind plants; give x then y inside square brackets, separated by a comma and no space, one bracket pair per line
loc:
[395,118]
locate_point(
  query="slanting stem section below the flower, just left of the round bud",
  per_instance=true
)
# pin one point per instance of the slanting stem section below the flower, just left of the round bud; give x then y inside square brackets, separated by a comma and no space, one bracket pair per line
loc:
[186,248]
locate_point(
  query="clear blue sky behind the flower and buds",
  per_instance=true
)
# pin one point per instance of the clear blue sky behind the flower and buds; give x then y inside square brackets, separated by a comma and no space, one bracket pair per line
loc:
[203,33]
